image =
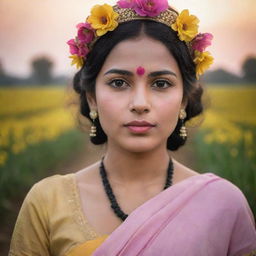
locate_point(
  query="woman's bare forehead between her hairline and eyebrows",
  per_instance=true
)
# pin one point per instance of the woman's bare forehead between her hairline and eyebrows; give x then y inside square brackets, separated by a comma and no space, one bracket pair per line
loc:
[143,51]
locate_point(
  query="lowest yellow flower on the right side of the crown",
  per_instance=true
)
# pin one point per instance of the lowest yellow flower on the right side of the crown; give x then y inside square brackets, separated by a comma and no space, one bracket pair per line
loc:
[203,60]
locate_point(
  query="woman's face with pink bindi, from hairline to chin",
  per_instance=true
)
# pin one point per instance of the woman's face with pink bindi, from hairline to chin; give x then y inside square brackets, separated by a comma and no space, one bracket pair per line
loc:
[139,81]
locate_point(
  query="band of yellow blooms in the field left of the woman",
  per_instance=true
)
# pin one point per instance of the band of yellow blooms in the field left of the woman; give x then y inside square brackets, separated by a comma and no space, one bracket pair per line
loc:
[29,116]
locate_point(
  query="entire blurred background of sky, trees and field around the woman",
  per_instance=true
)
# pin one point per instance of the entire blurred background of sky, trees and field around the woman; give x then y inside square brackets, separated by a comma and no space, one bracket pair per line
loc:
[39,131]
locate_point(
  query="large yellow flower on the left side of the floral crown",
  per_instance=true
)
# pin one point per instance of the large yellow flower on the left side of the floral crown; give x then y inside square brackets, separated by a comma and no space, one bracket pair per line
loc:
[103,19]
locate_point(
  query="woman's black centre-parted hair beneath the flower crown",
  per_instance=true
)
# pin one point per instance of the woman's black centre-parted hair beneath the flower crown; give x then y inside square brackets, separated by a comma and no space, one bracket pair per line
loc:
[85,80]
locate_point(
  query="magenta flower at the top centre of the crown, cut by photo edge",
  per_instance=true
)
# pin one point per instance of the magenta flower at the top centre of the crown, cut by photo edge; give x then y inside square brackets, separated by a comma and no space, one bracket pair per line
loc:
[150,8]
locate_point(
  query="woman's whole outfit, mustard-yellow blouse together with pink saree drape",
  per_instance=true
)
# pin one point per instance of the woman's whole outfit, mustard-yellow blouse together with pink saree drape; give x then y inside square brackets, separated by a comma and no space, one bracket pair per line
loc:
[201,215]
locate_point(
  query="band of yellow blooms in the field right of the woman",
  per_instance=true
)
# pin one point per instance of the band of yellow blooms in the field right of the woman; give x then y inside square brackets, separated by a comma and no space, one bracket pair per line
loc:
[230,117]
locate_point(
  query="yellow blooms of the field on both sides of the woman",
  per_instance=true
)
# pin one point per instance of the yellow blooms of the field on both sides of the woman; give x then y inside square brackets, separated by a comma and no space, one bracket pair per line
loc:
[31,115]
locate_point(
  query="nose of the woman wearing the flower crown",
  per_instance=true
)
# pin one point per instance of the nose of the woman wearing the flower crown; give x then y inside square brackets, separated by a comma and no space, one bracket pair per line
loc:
[140,101]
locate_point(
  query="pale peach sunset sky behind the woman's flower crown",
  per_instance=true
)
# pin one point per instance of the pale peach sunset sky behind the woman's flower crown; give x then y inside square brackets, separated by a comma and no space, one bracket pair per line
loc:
[31,28]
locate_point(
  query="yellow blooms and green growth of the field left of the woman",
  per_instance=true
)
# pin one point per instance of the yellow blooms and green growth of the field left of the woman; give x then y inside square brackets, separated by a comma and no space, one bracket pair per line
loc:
[38,137]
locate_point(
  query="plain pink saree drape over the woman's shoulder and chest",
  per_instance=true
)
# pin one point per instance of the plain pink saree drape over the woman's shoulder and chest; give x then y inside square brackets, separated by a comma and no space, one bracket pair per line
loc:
[203,215]
